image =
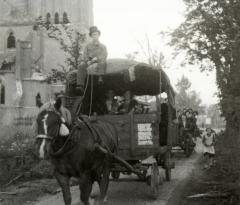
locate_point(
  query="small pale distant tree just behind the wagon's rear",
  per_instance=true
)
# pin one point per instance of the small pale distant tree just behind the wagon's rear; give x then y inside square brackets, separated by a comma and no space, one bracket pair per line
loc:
[186,98]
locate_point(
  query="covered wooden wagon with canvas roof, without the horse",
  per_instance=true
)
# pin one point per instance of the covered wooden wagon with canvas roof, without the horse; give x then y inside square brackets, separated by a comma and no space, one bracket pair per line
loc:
[144,136]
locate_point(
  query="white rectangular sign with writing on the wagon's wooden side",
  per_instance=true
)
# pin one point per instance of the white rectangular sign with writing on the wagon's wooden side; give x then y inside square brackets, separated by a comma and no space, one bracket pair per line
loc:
[145,134]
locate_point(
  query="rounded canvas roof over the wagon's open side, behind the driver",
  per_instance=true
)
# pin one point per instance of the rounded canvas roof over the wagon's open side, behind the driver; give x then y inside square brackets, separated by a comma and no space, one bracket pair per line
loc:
[139,78]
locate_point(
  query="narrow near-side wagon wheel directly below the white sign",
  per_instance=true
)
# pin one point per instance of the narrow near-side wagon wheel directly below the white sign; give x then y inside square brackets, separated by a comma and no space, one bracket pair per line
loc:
[155,180]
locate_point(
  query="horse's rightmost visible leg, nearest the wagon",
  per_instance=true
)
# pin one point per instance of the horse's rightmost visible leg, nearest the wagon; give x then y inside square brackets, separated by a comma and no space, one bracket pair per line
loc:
[104,182]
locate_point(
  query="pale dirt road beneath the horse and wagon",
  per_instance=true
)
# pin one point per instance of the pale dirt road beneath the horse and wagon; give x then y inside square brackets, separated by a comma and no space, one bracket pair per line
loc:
[130,191]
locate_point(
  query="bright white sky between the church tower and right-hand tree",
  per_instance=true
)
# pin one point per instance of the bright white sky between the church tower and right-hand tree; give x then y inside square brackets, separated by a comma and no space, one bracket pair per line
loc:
[125,25]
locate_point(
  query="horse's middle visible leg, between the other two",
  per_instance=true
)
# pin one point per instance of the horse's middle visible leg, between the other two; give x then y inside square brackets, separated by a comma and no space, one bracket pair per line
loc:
[85,185]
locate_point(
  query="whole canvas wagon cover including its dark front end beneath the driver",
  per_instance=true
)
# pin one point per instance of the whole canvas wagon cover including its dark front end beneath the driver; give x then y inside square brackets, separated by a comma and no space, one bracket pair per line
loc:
[123,75]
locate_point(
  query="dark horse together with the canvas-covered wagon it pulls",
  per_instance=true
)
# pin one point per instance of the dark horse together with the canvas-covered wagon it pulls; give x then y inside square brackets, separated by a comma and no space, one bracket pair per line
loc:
[109,134]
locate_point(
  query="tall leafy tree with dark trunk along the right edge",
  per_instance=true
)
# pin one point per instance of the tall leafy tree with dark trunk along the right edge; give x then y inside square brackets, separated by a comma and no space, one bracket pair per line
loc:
[210,35]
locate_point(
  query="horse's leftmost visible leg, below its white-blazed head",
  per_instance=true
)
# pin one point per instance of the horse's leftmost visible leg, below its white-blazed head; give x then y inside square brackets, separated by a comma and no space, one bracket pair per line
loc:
[63,181]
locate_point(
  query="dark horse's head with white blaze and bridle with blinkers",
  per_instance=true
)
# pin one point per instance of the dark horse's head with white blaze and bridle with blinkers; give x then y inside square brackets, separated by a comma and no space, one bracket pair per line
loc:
[50,126]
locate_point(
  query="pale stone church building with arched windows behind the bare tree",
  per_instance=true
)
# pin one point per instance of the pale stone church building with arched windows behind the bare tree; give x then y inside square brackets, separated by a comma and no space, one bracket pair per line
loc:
[22,49]
